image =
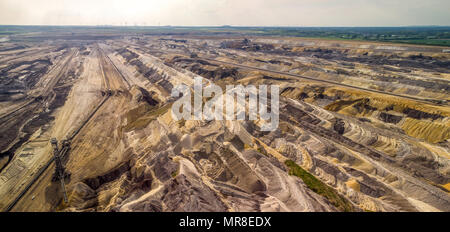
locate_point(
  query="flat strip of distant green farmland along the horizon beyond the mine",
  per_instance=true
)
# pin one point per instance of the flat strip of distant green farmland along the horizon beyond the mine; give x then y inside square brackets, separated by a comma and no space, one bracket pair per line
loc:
[433,35]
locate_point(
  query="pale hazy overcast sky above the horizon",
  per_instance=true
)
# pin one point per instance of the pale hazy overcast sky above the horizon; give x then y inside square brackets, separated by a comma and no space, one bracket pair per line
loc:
[226,12]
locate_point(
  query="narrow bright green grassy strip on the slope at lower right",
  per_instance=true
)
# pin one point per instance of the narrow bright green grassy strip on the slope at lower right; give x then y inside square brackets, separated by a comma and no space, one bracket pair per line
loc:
[319,187]
